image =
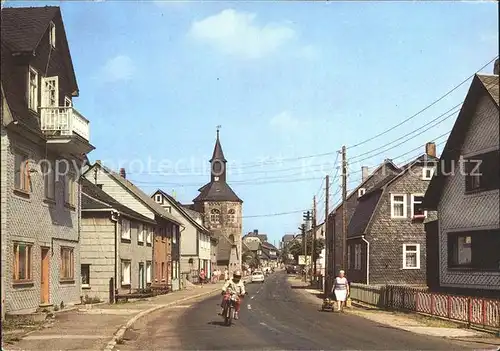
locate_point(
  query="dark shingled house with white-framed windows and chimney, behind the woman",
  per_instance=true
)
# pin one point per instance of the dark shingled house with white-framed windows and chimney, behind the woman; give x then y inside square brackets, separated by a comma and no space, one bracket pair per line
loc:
[386,235]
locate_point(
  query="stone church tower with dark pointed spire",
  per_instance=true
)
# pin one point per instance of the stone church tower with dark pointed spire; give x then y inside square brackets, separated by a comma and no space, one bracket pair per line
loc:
[222,210]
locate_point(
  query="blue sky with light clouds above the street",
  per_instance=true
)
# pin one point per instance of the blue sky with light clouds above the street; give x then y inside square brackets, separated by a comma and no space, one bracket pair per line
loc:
[284,79]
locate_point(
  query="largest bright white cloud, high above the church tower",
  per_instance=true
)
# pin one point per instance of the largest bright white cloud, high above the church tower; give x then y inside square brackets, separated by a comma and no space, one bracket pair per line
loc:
[239,34]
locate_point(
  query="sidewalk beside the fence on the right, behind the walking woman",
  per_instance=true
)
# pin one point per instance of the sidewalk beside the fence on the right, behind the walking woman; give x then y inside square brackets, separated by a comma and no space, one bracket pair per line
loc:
[412,322]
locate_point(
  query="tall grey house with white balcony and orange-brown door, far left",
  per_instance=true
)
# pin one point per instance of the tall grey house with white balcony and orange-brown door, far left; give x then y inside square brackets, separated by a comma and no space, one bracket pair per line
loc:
[40,211]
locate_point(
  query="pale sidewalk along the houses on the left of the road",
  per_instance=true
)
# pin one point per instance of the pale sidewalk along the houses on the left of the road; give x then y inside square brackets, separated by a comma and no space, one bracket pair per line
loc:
[93,328]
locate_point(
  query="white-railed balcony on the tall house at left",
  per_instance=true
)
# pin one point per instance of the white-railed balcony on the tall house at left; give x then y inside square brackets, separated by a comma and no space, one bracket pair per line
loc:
[66,127]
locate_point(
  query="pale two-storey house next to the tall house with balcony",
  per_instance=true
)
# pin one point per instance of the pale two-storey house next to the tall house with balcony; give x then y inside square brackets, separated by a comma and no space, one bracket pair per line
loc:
[113,244]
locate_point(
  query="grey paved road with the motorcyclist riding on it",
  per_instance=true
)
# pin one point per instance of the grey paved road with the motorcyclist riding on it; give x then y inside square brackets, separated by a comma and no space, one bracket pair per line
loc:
[274,317]
